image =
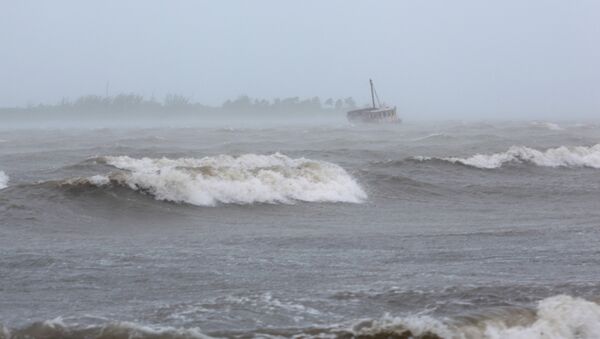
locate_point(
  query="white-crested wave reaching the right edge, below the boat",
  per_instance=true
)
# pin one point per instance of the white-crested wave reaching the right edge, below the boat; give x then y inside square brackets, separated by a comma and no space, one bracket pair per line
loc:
[579,156]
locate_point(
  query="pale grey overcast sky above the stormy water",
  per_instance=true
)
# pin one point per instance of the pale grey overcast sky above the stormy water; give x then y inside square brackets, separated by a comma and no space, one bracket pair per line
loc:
[448,59]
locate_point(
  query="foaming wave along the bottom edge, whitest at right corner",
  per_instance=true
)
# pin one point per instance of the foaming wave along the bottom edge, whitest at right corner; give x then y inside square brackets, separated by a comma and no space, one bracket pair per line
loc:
[557,317]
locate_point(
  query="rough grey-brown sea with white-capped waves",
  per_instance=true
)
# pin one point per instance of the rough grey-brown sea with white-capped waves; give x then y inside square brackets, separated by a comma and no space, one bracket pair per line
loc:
[418,230]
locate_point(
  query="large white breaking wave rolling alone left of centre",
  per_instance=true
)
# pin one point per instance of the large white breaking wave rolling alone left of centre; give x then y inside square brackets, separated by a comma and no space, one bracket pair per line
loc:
[246,179]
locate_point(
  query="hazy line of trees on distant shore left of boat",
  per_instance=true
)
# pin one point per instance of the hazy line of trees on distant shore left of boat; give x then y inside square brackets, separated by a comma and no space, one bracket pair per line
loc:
[134,105]
